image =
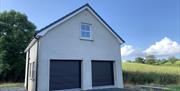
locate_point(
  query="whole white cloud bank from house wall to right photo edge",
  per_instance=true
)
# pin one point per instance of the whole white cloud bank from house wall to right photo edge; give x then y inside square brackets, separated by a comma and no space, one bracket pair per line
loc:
[163,48]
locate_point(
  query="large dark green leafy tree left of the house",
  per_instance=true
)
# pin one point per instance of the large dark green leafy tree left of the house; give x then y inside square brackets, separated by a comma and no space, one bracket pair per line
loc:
[15,33]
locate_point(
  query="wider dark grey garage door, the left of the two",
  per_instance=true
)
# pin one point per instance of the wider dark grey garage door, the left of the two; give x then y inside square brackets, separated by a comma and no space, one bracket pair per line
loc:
[65,74]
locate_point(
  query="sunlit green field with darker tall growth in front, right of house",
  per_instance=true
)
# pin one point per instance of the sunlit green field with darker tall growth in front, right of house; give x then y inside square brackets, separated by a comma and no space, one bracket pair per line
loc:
[137,73]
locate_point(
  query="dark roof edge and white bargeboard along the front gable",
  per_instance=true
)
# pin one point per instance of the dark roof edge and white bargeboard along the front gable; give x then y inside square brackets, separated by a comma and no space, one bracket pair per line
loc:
[43,31]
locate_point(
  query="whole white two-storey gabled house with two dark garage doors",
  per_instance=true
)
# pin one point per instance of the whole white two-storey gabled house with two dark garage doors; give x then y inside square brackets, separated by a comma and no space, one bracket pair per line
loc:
[80,51]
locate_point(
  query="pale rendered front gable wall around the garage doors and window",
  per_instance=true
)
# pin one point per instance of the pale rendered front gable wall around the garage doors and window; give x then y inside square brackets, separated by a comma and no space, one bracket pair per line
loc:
[63,42]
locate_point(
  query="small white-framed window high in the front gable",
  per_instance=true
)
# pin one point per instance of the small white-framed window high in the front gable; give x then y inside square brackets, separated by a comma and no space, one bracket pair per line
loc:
[85,31]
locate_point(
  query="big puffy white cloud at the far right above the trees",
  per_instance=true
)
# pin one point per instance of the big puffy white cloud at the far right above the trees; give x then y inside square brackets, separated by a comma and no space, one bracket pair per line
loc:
[165,47]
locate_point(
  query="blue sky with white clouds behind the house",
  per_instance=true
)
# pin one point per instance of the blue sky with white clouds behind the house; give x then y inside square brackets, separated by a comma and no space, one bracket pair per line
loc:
[141,23]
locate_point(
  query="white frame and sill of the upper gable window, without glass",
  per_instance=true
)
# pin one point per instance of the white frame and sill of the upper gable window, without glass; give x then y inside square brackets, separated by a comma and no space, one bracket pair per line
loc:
[90,31]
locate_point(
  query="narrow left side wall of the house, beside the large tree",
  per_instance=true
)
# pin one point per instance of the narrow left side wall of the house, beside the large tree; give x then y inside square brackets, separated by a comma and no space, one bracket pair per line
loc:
[30,75]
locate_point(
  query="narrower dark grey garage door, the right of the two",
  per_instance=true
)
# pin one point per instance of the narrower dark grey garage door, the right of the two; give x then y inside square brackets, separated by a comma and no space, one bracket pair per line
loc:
[102,73]
